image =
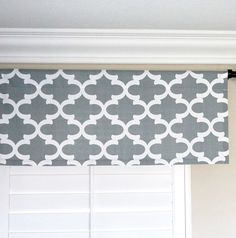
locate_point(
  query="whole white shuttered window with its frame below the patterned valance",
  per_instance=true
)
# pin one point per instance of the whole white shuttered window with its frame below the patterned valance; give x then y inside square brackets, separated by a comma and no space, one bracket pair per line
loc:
[94,202]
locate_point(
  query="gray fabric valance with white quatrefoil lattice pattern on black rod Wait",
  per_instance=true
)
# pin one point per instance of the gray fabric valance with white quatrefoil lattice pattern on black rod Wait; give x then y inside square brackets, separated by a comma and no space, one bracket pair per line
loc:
[107,117]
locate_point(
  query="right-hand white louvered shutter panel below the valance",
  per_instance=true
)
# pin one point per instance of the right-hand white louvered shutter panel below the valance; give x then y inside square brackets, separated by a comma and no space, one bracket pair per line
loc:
[131,202]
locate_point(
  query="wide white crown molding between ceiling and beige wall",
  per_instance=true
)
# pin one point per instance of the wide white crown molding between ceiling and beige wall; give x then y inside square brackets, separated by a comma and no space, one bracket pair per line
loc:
[114,46]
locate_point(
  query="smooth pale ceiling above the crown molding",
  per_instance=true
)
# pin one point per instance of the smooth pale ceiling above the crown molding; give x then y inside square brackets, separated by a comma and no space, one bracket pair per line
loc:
[139,14]
